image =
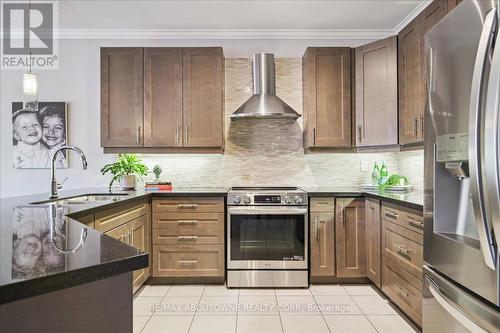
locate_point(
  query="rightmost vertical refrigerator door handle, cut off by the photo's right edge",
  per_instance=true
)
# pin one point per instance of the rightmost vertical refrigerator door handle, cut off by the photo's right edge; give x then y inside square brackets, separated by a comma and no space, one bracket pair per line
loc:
[491,139]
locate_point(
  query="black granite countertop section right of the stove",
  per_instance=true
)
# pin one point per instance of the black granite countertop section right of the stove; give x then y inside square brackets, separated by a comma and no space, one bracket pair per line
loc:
[413,199]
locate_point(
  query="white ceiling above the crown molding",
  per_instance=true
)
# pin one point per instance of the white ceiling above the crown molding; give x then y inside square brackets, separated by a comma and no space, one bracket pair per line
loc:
[275,17]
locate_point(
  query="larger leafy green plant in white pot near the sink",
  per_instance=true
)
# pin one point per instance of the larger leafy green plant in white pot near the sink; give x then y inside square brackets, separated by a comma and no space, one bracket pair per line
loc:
[125,169]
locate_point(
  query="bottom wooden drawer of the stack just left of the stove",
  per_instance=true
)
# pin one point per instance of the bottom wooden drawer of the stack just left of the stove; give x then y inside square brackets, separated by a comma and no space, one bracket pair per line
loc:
[188,260]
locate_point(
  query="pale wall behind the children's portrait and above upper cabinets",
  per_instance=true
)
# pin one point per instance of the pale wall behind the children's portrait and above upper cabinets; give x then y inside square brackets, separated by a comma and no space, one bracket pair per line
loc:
[77,82]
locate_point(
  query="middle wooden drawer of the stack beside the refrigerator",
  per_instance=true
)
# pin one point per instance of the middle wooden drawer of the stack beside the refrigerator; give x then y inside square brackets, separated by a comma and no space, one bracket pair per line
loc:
[403,246]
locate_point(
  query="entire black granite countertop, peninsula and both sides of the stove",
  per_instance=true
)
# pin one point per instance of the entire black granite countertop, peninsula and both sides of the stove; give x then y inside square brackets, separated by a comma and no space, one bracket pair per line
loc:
[36,238]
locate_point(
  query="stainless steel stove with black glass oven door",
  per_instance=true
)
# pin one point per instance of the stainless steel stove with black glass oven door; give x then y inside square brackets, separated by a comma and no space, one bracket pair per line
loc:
[267,237]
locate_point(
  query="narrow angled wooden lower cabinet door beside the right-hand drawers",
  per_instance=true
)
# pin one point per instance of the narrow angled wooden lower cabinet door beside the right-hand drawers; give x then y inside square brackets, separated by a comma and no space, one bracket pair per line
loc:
[373,245]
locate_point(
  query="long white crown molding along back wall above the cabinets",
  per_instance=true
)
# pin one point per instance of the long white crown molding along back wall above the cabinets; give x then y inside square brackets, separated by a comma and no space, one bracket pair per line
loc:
[214,34]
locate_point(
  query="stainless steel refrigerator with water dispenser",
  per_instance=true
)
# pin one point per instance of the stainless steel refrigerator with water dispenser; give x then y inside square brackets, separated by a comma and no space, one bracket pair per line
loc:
[462,172]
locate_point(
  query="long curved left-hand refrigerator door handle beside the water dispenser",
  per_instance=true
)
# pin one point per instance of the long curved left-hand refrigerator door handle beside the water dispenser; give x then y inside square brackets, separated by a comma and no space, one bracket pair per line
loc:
[475,146]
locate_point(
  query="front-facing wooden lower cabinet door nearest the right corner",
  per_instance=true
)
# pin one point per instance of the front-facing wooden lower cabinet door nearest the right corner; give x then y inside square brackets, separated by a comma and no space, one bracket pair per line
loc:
[350,237]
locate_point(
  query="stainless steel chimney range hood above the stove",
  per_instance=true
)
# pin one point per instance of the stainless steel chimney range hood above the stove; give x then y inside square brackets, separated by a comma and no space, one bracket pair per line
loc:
[264,103]
